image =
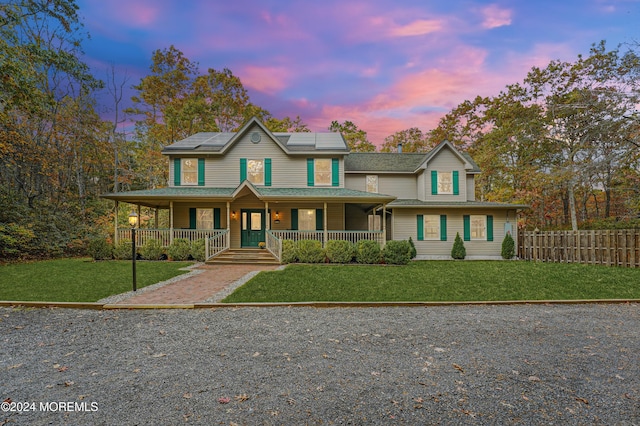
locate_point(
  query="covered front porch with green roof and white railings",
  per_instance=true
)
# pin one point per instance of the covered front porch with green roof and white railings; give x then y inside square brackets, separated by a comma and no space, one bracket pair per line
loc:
[251,217]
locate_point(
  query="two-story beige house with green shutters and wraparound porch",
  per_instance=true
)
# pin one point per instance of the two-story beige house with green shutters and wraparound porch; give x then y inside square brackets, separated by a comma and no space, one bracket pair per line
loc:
[255,186]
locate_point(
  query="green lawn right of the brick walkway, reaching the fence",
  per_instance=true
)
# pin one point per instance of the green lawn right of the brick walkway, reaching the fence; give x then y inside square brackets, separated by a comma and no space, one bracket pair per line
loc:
[441,281]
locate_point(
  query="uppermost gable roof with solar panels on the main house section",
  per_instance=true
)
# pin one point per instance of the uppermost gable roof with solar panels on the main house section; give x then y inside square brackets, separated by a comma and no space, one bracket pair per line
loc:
[291,143]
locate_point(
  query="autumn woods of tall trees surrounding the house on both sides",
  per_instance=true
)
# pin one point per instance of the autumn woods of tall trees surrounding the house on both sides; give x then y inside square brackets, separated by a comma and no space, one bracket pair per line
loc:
[566,140]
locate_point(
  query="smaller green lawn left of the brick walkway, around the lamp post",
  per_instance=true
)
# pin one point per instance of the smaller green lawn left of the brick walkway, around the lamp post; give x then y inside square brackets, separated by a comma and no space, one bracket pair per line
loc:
[79,280]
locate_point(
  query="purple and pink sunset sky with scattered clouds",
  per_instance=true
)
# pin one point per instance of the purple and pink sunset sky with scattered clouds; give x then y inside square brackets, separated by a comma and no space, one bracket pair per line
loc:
[386,65]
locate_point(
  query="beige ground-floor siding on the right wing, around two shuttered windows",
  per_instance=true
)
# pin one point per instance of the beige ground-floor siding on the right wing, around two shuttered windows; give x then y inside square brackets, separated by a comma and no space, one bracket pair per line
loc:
[405,226]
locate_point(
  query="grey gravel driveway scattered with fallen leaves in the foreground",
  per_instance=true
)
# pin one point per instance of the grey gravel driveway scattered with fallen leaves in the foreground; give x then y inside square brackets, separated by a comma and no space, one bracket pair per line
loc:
[525,364]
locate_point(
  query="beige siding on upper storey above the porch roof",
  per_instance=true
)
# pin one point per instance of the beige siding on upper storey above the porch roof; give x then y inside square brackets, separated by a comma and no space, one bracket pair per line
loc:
[286,171]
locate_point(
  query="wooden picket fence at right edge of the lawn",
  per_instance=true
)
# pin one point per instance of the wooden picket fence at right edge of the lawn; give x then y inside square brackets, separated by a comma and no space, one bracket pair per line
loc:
[620,247]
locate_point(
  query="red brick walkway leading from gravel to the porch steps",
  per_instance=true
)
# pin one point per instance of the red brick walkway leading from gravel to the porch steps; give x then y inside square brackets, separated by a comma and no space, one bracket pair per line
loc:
[197,288]
